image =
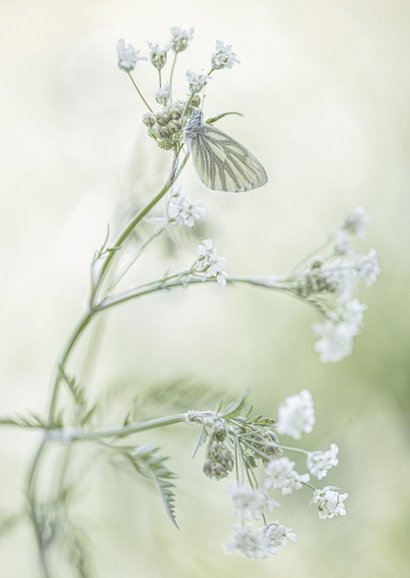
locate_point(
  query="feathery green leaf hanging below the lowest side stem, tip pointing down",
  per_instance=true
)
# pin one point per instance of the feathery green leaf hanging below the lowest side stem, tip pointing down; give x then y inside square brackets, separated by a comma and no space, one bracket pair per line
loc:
[150,465]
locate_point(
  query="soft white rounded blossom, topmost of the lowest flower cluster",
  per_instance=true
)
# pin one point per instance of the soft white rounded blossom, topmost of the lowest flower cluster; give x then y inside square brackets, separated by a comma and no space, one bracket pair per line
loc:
[296,415]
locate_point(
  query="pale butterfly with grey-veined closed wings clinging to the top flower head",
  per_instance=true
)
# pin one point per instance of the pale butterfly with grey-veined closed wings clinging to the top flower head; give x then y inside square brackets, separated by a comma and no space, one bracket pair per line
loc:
[220,161]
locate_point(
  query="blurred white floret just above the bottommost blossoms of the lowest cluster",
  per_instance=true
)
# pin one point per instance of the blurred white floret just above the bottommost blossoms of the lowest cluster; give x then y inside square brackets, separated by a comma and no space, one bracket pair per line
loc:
[250,503]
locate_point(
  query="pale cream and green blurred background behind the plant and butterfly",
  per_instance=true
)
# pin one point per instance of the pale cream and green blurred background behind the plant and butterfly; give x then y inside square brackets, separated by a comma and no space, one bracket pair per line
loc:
[325,90]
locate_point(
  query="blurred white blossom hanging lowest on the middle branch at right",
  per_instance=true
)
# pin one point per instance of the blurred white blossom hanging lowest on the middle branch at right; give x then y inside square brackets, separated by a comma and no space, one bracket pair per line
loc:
[337,331]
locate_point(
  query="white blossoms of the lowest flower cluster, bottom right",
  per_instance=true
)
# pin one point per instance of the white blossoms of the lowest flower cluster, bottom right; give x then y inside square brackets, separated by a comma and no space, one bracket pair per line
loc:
[297,415]
